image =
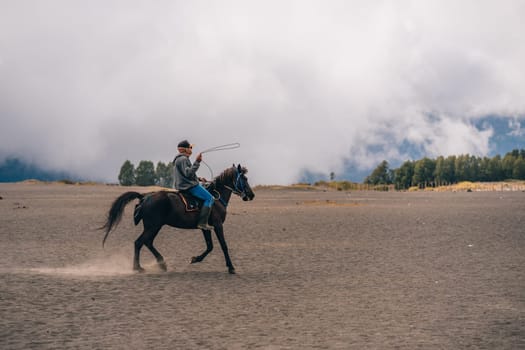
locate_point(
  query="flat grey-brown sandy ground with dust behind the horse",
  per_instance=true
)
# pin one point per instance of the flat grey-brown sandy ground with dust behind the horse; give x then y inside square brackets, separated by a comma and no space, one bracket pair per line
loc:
[315,270]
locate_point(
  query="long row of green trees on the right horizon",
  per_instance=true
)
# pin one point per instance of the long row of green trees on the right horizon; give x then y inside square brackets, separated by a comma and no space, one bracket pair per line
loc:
[452,169]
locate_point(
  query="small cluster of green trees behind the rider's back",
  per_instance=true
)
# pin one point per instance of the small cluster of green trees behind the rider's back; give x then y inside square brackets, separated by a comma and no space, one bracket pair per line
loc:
[146,174]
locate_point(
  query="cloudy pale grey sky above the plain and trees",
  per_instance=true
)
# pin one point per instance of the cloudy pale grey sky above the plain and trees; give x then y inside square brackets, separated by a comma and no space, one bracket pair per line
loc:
[302,85]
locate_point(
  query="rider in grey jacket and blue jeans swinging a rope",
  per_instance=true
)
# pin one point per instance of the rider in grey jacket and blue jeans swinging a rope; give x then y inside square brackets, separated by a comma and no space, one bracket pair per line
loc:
[186,180]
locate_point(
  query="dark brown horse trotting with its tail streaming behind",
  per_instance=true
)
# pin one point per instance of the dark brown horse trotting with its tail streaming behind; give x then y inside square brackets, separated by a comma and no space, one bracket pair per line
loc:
[160,208]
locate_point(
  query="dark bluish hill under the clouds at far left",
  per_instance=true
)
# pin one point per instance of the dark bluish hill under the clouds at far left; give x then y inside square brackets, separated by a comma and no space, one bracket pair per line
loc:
[14,170]
